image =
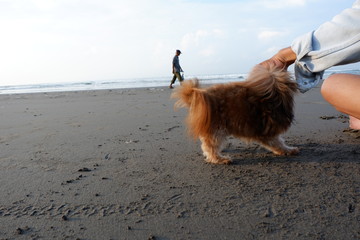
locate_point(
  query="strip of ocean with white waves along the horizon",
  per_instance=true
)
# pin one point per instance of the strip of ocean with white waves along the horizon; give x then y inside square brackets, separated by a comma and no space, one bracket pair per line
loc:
[132,83]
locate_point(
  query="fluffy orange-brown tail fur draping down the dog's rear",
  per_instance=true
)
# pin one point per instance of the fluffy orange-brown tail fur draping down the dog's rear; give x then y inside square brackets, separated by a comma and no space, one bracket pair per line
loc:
[196,99]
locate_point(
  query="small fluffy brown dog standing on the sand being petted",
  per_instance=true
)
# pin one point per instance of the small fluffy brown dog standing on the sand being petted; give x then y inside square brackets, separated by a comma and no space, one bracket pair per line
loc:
[258,109]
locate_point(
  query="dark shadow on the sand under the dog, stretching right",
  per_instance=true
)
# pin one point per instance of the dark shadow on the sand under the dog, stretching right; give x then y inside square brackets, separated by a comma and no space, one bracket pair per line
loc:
[309,153]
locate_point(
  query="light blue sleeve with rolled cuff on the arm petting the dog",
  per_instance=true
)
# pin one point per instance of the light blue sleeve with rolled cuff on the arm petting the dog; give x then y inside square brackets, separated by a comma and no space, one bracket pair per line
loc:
[336,42]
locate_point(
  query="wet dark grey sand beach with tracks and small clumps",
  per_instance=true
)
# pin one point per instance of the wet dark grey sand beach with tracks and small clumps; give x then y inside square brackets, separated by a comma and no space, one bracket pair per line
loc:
[118,164]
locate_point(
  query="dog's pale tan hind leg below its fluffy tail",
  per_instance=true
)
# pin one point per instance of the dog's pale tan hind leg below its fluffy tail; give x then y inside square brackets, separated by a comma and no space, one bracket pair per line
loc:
[211,149]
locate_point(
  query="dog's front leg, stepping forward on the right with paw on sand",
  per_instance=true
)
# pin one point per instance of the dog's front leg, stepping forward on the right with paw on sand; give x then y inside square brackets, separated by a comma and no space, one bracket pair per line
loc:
[278,146]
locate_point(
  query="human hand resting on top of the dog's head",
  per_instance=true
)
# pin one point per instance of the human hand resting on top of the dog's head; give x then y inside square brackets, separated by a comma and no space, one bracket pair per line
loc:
[282,60]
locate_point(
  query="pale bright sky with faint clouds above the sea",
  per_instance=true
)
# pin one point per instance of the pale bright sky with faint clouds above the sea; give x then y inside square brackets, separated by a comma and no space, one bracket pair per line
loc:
[45,41]
